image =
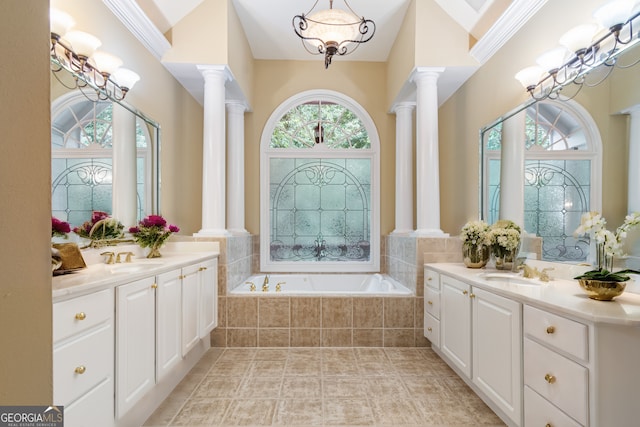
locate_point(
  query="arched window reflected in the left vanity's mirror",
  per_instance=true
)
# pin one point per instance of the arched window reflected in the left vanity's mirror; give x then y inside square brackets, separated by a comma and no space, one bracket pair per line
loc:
[81,164]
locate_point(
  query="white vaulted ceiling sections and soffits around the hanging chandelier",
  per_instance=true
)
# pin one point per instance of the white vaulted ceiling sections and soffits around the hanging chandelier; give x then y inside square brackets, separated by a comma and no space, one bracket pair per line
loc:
[269,30]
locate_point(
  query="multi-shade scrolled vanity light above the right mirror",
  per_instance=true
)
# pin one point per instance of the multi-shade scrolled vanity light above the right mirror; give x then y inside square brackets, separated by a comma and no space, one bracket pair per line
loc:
[583,49]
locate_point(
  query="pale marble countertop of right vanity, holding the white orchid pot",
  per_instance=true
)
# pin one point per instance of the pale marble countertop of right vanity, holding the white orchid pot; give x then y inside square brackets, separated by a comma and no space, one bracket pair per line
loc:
[561,295]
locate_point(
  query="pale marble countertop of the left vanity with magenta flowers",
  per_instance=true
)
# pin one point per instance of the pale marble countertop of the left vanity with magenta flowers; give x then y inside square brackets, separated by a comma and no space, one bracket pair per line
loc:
[99,275]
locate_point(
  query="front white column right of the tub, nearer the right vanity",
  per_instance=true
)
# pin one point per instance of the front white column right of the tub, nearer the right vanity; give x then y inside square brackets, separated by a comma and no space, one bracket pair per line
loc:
[427,160]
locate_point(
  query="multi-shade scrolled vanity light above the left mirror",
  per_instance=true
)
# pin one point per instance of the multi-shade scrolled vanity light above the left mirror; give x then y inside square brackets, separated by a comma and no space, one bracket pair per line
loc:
[76,52]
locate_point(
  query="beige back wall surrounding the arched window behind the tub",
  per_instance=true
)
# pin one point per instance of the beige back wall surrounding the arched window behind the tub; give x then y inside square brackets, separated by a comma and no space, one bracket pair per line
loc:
[276,81]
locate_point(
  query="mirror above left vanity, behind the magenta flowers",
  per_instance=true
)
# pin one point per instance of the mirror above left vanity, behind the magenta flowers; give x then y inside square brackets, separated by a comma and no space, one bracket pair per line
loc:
[105,154]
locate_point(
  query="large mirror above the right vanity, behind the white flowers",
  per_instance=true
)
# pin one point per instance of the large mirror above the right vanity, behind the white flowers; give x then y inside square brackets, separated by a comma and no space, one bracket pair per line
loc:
[576,155]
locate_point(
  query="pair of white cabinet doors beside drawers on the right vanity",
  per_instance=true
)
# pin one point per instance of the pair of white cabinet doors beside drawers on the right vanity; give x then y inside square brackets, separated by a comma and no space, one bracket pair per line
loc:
[480,337]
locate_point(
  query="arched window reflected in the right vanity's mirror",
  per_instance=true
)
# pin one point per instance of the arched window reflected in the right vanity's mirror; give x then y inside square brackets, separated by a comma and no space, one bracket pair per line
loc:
[562,175]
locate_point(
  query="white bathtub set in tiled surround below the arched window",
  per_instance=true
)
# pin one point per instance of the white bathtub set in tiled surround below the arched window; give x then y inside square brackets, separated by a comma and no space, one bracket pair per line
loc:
[323,285]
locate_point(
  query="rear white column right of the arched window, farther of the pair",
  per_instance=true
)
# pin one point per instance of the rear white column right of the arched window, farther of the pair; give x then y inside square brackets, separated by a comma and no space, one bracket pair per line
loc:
[404,168]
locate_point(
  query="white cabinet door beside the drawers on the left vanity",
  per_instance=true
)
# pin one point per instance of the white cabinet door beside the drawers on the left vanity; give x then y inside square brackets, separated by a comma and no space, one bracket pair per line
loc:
[135,342]
